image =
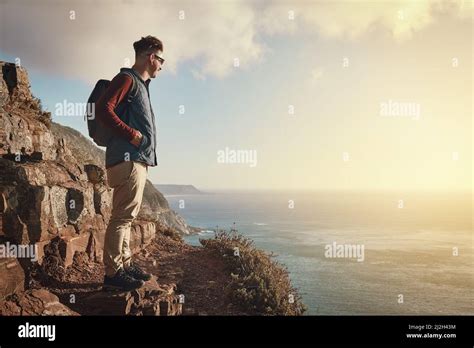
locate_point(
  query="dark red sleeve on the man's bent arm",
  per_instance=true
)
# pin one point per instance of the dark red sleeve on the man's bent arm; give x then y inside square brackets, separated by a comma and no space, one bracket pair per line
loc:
[105,108]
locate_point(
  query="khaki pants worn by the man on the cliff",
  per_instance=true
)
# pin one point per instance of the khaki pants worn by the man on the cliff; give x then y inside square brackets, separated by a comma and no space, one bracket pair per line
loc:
[128,181]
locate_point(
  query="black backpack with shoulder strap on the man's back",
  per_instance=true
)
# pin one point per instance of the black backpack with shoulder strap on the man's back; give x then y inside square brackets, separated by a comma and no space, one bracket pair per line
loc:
[97,131]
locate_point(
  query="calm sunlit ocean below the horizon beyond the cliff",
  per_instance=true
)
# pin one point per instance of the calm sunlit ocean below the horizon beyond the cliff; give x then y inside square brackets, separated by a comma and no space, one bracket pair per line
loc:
[417,247]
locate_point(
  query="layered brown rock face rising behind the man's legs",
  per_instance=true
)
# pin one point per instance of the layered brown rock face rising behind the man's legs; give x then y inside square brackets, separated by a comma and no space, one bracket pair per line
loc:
[53,190]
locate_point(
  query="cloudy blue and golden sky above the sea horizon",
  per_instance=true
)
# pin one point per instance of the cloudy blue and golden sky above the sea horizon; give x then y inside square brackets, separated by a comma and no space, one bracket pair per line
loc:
[308,95]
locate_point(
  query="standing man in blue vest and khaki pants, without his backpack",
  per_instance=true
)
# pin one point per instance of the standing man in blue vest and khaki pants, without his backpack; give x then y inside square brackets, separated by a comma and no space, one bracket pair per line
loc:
[126,109]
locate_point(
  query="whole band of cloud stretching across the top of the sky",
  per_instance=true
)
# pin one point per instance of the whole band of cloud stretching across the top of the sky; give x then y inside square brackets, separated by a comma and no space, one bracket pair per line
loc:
[89,40]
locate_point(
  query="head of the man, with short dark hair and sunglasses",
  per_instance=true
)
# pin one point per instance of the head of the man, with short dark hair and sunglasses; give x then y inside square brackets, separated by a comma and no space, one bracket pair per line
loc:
[148,54]
